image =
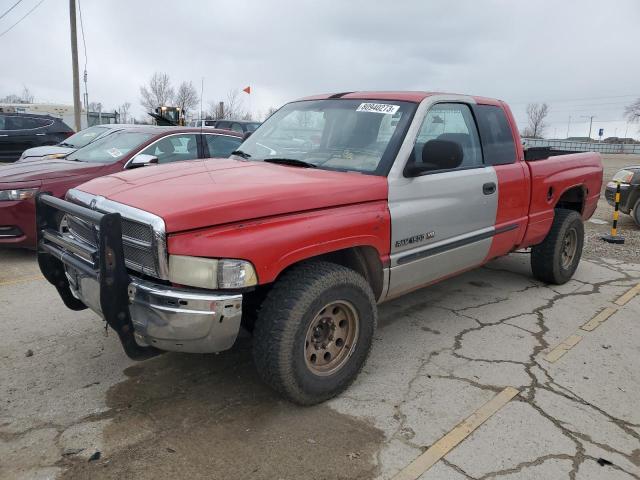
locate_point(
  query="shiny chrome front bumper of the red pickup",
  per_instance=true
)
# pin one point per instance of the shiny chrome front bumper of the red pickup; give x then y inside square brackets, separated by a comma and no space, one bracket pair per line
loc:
[168,318]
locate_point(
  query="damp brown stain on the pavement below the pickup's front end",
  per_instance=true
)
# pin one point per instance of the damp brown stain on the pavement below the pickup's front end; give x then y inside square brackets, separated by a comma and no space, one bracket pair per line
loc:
[209,416]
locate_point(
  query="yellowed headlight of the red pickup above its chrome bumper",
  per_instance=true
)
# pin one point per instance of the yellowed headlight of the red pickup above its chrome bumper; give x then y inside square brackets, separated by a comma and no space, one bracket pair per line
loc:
[211,273]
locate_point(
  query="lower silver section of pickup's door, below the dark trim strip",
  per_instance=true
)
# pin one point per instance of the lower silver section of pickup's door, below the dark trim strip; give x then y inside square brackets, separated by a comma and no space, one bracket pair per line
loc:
[408,276]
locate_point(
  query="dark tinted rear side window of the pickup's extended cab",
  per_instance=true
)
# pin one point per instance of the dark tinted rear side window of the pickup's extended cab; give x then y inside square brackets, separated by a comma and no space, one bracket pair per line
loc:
[495,132]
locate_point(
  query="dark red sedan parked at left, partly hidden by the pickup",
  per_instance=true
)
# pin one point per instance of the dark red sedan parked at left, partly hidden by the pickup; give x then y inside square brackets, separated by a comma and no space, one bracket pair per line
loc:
[130,148]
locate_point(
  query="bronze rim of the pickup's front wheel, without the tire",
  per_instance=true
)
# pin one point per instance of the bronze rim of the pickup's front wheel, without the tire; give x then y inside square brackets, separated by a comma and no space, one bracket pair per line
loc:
[331,338]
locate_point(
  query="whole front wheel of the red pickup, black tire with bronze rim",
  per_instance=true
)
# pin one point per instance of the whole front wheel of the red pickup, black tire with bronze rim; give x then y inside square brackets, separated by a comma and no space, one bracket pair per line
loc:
[285,343]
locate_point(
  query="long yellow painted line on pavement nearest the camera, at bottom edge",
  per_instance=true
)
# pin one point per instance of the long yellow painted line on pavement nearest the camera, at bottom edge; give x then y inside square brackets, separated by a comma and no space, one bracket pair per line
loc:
[447,443]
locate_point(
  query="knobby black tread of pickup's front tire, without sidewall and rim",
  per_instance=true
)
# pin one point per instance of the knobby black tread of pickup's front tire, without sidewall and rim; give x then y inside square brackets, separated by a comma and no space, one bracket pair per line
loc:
[275,329]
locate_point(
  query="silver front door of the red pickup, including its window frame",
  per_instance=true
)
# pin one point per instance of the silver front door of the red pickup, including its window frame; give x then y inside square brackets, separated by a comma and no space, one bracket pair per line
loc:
[433,211]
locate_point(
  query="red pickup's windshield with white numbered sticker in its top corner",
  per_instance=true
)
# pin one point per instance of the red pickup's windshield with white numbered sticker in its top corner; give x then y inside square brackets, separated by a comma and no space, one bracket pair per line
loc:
[333,134]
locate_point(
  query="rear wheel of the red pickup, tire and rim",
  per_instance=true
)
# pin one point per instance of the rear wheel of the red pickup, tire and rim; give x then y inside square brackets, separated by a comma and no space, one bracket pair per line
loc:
[554,260]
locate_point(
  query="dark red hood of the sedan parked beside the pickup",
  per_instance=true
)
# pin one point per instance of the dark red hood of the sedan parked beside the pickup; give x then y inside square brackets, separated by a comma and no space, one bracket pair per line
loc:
[46,170]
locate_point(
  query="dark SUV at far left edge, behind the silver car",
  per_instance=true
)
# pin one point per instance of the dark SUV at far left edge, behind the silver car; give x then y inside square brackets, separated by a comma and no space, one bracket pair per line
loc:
[19,131]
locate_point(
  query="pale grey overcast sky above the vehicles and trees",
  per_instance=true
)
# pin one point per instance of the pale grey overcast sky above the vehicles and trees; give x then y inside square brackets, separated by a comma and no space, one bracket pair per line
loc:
[582,57]
